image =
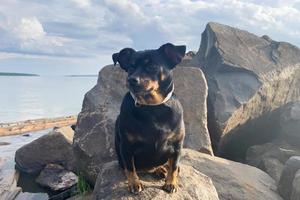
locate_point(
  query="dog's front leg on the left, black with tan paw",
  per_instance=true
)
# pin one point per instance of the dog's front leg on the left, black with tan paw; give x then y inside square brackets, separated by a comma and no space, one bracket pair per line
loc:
[134,184]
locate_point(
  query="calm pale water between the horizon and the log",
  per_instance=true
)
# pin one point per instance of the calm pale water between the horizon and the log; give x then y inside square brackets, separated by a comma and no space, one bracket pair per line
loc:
[23,98]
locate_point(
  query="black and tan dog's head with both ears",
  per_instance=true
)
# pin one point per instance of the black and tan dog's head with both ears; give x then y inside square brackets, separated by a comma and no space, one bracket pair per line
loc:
[150,72]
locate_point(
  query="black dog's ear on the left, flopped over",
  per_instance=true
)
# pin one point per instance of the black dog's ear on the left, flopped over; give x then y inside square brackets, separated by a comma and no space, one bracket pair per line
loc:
[123,57]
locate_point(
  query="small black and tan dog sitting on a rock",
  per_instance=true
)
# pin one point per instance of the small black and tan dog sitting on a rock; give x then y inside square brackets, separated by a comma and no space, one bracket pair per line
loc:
[150,128]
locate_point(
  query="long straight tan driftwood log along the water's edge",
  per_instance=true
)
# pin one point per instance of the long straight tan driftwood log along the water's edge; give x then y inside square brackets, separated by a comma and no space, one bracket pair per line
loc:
[21,127]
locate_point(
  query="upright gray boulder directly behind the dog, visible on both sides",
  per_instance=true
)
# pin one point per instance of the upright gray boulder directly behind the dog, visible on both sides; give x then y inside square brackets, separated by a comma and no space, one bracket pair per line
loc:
[94,135]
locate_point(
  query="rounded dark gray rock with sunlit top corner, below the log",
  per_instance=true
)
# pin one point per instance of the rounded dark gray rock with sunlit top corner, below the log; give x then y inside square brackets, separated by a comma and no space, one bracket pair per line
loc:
[55,147]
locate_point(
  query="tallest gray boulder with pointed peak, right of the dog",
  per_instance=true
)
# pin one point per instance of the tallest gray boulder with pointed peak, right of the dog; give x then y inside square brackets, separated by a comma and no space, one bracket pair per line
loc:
[247,76]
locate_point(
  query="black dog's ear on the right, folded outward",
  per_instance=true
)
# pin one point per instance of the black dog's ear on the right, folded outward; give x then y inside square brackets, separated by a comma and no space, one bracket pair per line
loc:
[173,54]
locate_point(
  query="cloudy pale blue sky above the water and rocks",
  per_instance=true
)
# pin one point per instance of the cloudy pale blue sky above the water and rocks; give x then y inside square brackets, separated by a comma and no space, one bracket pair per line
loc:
[78,36]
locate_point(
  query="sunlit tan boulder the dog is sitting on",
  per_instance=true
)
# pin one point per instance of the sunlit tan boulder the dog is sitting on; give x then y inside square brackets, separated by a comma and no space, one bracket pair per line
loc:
[193,185]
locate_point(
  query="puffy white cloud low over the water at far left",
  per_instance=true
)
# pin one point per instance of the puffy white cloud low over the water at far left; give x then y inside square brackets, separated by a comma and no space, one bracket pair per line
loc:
[27,35]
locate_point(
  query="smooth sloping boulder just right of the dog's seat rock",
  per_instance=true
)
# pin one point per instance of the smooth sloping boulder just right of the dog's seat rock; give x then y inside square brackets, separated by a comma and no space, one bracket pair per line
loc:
[233,180]
